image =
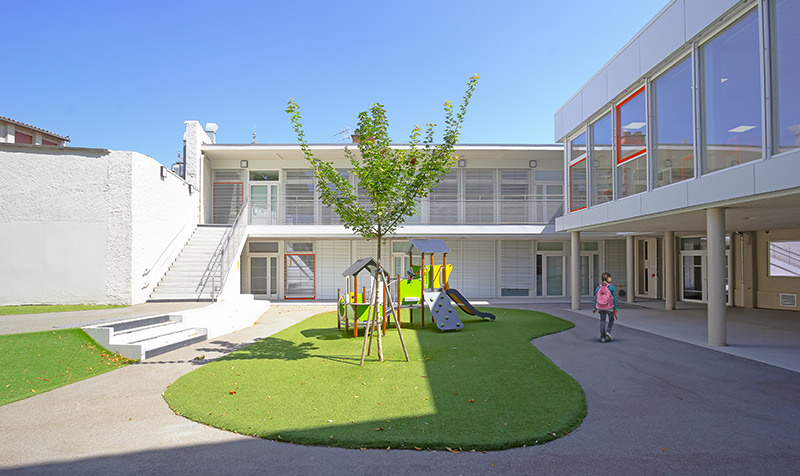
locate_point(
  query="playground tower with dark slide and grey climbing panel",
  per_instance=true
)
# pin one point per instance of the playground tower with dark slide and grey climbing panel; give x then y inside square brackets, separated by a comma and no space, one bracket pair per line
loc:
[427,287]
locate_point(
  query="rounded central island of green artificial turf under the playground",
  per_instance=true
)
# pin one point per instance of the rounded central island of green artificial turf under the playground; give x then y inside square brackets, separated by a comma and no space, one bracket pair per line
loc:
[483,388]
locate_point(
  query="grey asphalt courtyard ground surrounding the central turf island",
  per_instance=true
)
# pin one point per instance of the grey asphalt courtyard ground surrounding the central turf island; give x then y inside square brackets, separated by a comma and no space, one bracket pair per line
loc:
[656,405]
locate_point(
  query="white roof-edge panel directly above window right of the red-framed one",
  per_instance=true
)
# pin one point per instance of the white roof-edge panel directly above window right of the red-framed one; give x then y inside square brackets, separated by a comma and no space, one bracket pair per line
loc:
[665,35]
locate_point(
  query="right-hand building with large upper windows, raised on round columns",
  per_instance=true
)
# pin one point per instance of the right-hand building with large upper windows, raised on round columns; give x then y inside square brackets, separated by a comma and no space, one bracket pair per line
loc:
[688,143]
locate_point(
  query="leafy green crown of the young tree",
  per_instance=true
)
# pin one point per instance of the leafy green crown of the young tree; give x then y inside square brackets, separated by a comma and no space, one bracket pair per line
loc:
[393,179]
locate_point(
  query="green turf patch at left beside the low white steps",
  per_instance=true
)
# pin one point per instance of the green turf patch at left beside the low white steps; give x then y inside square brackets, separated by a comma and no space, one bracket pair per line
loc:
[36,362]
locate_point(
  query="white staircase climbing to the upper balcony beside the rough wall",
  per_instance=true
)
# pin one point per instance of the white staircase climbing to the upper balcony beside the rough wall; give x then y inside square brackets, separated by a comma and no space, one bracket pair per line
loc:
[191,277]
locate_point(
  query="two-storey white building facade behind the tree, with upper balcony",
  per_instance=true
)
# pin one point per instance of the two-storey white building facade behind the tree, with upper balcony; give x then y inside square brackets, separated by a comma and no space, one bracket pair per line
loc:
[495,210]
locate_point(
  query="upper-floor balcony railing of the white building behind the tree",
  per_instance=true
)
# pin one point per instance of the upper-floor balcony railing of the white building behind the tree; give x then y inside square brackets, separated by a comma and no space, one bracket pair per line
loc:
[505,210]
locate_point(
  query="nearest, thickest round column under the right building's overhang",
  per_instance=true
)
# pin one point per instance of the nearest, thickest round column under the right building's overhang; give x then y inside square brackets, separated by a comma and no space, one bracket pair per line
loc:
[715,235]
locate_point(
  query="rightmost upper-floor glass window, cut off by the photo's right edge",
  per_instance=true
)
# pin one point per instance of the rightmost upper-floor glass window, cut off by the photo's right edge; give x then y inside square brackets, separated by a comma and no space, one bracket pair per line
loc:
[786,71]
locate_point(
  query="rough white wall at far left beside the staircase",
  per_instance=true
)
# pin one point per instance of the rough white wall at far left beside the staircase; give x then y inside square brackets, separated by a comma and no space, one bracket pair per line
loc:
[82,225]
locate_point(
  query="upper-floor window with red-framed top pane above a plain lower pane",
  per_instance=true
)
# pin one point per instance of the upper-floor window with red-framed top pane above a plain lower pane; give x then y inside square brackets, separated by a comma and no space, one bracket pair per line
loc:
[632,144]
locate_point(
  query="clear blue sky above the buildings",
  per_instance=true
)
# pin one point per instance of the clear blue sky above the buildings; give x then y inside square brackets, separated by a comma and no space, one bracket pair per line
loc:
[126,75]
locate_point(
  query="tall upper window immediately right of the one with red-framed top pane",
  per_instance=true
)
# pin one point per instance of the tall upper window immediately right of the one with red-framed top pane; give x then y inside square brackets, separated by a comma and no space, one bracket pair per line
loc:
[673,131]
